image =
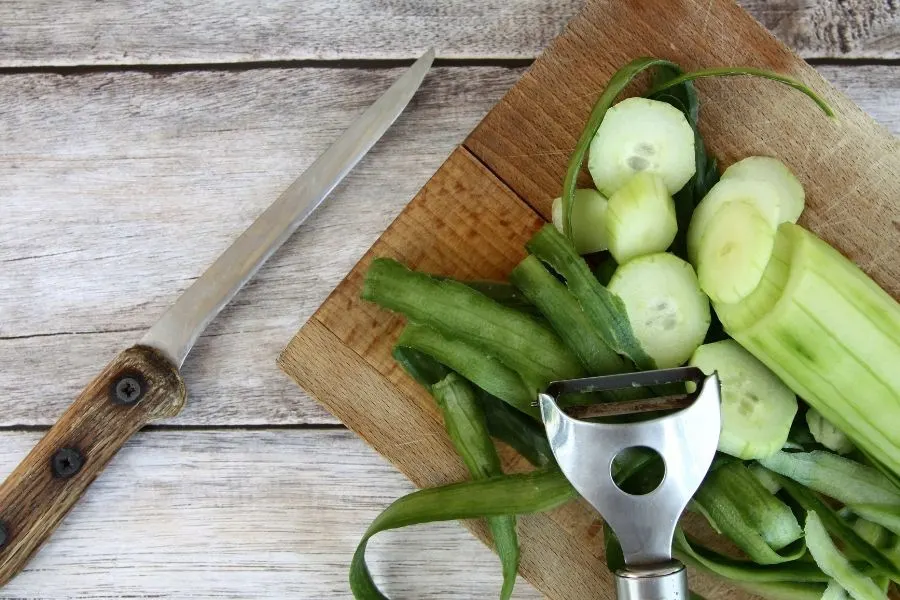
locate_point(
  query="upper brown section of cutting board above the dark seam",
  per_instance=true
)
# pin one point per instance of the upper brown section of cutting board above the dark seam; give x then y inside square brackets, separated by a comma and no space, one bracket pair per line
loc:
[849,167]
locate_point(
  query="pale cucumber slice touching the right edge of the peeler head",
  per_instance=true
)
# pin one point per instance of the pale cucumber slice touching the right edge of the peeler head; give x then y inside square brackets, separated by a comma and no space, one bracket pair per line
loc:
[757,407]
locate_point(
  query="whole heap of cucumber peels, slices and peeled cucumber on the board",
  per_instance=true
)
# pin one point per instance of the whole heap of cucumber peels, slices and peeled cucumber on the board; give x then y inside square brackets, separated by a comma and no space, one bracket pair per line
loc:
[665,262]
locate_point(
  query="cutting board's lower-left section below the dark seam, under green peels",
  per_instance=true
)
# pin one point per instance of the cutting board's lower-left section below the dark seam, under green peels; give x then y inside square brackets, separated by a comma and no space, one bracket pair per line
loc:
[464,223]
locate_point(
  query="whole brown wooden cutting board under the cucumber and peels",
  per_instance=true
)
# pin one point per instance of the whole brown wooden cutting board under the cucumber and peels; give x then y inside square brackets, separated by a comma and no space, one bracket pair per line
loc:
[472,218]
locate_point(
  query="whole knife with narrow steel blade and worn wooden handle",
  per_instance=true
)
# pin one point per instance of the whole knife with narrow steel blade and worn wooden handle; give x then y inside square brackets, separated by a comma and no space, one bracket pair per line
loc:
[143,382]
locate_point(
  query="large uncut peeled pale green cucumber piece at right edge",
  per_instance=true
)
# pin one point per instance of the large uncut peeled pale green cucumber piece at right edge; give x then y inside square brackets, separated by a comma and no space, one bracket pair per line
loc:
[834,337]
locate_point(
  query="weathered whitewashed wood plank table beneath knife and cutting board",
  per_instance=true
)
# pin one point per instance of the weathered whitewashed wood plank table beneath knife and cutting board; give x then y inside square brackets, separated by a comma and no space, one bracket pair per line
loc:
[137,139]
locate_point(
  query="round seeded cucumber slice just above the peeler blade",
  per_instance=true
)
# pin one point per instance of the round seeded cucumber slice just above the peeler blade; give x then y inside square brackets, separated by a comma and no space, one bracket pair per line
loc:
[667,310]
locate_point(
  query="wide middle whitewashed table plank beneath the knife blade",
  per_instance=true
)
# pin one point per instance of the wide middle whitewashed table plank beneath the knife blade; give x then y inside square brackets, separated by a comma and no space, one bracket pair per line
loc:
[179,165]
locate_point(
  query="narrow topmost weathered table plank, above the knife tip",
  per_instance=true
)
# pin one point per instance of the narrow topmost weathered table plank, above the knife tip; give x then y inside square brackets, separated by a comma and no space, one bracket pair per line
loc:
[216,31]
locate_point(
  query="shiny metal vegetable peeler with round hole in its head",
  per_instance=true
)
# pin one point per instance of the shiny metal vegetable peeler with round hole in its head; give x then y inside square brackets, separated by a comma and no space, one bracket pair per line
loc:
[645,524]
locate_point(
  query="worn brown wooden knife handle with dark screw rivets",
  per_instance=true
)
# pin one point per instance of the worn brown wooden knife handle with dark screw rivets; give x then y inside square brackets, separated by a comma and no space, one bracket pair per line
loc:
[138,386]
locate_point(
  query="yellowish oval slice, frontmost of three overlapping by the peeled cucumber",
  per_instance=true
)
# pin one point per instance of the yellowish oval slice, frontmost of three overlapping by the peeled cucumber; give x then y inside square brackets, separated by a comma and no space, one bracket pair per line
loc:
[734,252]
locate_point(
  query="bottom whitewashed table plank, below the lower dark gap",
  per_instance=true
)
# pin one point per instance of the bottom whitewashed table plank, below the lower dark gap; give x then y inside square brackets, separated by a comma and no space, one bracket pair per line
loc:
[281,510]
